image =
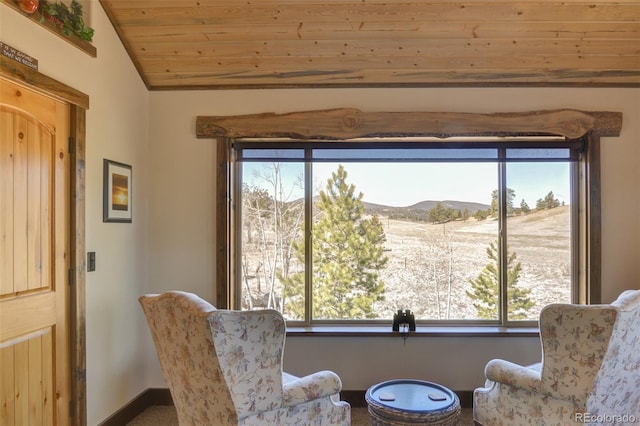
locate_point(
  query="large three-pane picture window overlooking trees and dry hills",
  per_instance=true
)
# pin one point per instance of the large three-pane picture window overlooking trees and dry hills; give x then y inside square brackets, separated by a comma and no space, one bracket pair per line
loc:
[471,231]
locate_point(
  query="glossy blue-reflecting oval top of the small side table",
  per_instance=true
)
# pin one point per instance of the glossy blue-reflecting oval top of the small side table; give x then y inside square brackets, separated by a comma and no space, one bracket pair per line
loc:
[415,396]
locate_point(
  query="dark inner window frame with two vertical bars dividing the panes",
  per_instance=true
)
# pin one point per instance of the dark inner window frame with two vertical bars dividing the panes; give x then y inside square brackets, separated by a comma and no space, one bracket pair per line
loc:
[306,155]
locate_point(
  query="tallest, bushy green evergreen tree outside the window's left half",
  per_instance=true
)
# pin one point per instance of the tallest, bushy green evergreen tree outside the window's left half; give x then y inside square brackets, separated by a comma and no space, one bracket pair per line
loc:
[347,254]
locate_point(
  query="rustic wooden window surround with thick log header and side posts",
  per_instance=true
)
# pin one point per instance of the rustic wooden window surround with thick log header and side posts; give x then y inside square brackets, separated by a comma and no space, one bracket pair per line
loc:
[591,125]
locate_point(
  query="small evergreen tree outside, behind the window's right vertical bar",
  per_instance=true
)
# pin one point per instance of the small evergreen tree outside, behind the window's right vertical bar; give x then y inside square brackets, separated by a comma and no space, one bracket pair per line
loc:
[485,288]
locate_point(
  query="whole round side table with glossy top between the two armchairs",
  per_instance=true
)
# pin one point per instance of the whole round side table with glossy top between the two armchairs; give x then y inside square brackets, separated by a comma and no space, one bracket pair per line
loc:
[412,402]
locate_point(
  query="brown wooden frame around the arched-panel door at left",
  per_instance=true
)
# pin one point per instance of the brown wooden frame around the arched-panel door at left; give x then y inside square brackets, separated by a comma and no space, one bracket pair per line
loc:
[79,103]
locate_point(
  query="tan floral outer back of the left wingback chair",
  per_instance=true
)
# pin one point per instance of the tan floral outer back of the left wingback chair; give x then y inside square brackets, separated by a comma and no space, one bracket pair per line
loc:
[179,324]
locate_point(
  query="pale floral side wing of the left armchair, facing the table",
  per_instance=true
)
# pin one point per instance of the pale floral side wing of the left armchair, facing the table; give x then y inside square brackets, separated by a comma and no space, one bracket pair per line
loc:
[249,346]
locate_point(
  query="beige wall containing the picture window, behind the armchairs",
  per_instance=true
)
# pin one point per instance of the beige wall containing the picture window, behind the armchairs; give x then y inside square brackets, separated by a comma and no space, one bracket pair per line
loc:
[361,362]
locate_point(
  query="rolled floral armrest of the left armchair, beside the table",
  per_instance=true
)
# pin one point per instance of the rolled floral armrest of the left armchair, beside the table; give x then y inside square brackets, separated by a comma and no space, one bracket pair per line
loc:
[308,388]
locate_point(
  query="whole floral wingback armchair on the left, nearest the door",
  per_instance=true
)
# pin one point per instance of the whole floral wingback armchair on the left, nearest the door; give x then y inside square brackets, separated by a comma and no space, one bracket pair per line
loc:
[225,367]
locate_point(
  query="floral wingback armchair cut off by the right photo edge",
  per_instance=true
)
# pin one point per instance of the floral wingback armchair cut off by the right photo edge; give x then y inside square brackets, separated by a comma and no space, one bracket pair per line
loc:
[590,370]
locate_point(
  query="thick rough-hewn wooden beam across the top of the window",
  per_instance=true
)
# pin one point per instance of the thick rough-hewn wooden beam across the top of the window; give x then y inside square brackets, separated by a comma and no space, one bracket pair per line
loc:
[351,123]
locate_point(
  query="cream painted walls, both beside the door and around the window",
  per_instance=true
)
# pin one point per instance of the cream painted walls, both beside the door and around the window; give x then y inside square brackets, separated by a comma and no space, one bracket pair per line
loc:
[170,244]
